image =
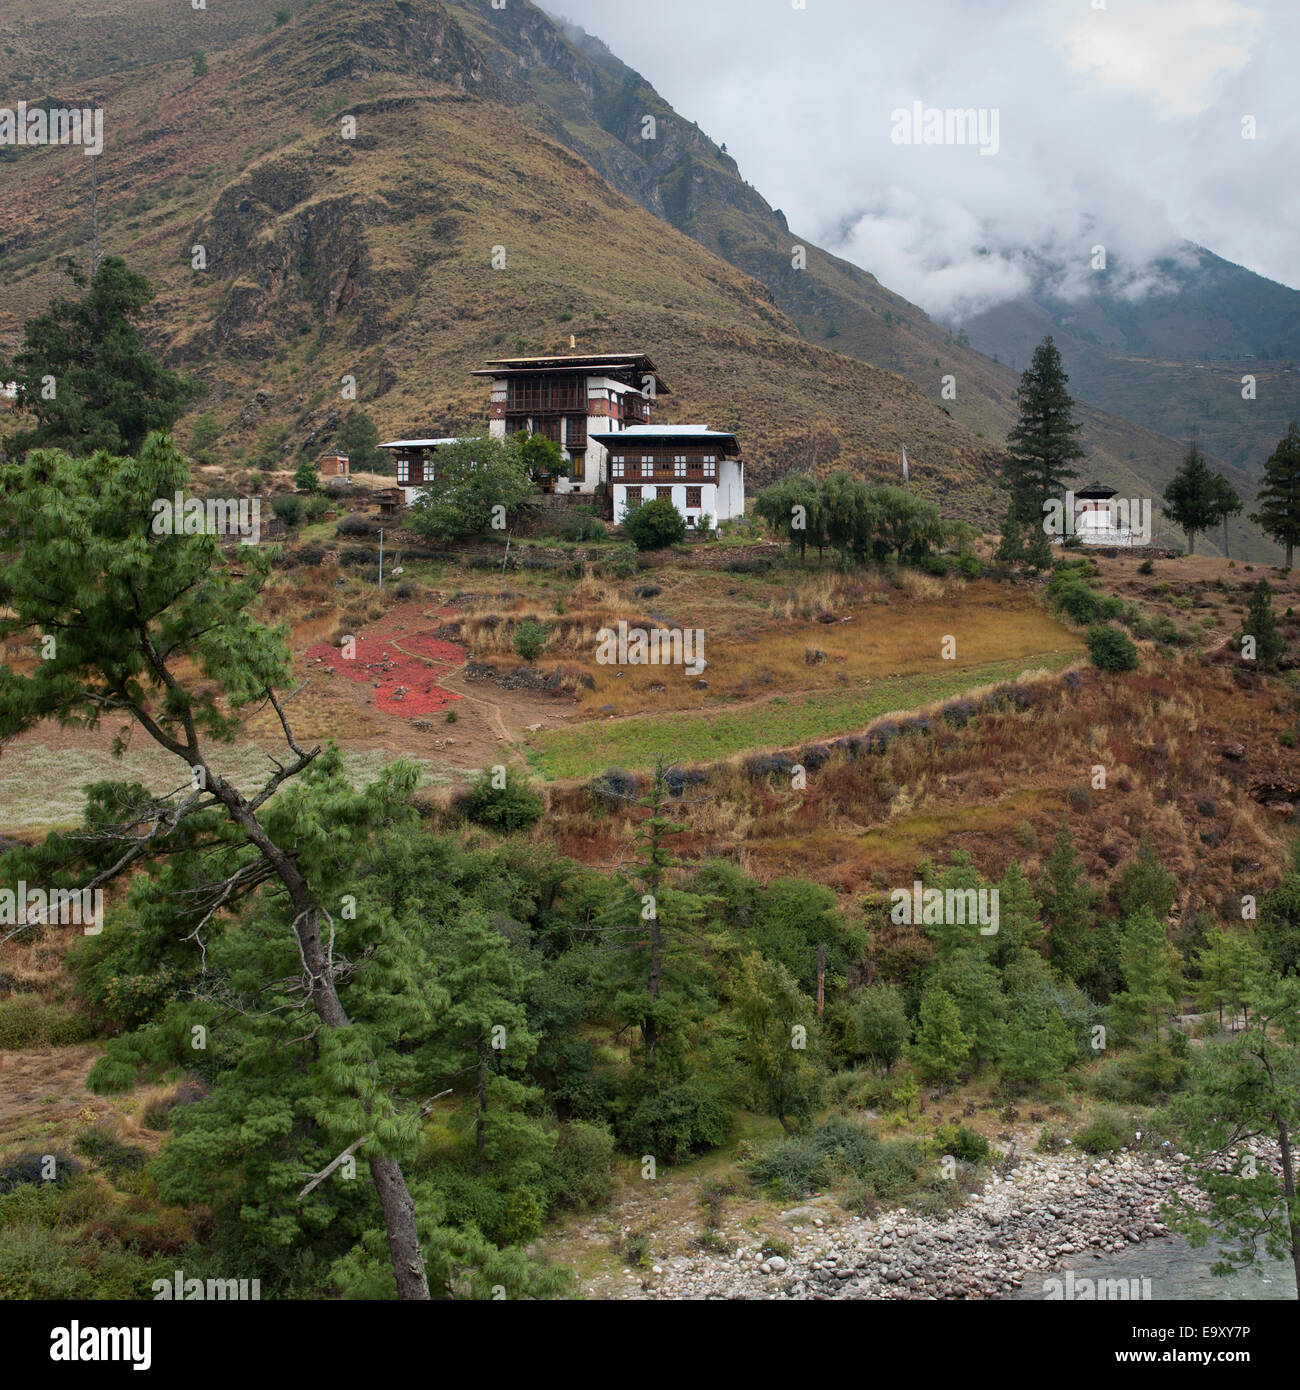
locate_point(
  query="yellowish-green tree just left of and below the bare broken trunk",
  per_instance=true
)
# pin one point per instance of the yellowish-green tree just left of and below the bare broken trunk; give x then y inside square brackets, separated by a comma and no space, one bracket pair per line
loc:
[777,1042]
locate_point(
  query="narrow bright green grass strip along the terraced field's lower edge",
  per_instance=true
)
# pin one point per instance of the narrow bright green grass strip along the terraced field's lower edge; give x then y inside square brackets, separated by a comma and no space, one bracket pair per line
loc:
[589,749]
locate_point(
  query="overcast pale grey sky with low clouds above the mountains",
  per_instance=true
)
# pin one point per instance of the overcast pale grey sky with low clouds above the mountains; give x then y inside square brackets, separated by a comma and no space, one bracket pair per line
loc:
[1119,127]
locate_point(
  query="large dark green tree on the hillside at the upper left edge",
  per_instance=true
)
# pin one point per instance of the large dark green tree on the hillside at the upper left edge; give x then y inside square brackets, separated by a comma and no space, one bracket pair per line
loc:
[86,376]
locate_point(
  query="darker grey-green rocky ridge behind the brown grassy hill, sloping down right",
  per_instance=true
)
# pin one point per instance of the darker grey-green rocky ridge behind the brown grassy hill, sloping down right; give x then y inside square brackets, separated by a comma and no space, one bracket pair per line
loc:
[569,85]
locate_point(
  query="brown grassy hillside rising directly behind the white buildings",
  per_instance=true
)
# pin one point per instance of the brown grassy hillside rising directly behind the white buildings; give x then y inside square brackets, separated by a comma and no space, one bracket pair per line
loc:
[372,258]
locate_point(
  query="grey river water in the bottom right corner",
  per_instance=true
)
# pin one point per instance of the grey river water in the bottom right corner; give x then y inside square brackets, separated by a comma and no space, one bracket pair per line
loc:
[1176,1273]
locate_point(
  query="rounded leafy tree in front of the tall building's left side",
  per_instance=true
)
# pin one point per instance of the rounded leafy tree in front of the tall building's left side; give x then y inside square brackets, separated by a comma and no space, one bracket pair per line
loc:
[473,479]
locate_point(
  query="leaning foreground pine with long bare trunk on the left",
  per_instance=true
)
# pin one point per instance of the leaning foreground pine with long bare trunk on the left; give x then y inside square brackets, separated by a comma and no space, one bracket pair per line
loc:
[158,630]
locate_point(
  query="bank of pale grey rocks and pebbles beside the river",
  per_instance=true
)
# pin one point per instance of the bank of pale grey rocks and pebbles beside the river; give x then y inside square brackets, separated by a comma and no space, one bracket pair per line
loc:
[1043,1227]
